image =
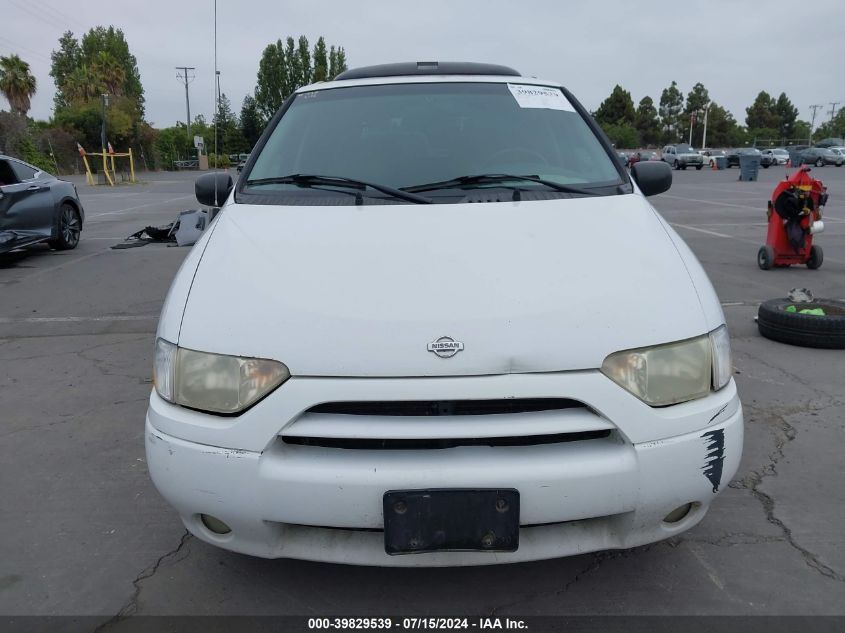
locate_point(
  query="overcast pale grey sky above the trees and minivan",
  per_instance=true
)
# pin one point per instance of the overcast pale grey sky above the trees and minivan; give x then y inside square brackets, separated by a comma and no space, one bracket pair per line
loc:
[734,47]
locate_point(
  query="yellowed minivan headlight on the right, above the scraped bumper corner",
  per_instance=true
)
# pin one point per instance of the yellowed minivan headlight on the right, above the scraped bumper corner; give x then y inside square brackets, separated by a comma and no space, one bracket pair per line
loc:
[675,372]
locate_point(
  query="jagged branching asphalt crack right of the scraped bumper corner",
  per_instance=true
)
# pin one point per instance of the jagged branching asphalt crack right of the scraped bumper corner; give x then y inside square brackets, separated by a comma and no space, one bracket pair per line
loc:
[784,433]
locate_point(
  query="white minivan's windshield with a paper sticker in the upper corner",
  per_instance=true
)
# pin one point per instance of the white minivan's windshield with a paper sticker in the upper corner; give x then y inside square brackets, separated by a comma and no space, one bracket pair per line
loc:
[431,137]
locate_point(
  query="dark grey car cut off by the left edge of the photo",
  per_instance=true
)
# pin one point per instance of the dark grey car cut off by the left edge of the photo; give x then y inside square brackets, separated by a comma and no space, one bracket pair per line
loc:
[37,207]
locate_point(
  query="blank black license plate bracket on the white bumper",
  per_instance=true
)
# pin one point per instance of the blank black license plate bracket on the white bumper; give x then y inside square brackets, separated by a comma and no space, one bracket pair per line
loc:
[451,519]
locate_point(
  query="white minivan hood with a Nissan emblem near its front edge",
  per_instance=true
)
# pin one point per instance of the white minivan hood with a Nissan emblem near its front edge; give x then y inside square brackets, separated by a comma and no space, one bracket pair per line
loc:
[534,286]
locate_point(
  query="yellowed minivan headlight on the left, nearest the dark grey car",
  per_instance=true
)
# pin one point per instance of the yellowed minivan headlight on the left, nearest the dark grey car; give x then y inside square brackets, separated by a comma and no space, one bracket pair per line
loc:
[213,382]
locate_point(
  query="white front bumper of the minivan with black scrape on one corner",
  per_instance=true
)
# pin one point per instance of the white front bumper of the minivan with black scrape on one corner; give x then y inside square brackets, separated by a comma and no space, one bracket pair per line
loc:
[325,504]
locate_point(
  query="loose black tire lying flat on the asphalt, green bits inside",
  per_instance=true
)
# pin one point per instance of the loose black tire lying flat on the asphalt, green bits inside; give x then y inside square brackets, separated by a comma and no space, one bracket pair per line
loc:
[806,330]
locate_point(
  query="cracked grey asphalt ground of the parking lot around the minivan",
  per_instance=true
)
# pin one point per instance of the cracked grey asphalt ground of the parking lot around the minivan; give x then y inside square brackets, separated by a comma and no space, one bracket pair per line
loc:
[85,532]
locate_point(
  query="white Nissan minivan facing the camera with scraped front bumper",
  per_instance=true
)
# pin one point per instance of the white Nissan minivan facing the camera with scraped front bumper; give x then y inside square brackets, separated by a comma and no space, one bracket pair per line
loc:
[435,322]
